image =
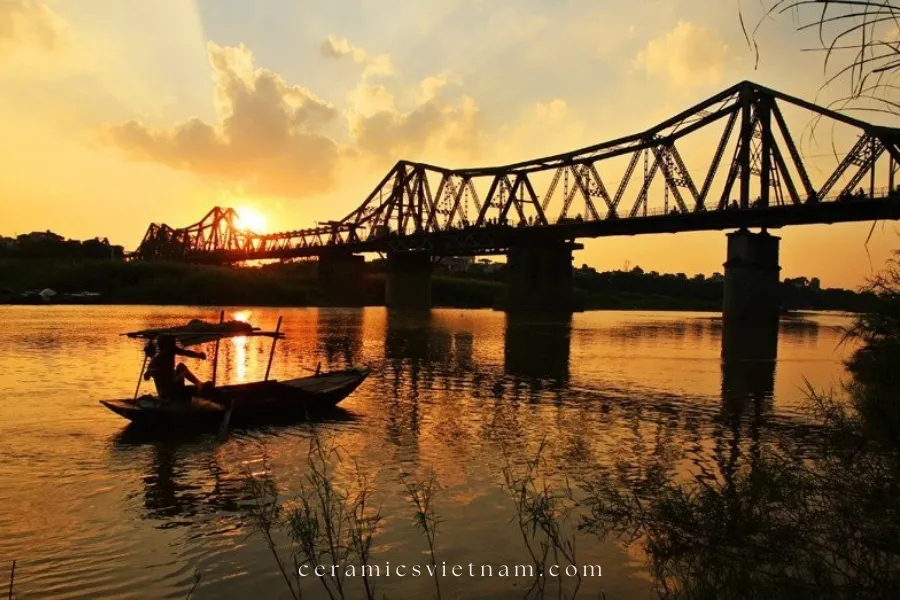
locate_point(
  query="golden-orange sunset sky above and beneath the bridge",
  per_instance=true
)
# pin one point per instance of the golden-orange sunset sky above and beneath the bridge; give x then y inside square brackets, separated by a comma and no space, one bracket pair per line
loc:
[118,114]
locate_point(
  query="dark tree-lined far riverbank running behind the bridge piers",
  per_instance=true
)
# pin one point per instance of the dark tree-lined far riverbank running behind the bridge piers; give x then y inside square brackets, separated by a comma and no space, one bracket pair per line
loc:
[475,285]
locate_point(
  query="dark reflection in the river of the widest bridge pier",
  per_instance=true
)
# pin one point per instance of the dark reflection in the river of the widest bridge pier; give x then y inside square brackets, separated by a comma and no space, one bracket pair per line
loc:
[537,348]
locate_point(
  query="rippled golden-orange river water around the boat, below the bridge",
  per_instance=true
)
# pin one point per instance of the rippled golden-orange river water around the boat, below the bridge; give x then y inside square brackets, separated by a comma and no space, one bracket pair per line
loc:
[88,511]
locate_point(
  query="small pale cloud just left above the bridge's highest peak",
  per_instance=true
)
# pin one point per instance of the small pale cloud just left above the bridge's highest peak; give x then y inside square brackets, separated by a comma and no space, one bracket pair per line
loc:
[687,55]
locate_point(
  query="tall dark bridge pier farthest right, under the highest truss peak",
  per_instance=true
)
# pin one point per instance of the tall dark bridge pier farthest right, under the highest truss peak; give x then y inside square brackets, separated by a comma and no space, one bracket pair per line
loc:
[751,280]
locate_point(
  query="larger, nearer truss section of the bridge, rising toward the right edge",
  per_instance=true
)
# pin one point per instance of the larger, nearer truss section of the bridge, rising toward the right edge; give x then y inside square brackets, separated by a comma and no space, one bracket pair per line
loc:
[734,151]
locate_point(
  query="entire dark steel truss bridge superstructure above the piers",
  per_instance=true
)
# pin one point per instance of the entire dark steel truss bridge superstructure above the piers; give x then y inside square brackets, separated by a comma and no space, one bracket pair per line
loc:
[729,162]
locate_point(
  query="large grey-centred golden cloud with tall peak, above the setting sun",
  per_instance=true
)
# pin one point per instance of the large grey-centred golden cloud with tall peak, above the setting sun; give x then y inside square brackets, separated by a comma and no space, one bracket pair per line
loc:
[268,140]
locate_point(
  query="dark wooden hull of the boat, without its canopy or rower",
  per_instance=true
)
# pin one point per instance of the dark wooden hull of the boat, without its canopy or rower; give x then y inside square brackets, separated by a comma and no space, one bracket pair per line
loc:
[252,403]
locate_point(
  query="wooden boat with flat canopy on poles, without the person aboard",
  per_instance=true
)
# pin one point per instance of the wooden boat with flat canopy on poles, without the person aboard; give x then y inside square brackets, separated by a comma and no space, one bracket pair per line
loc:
[242,403]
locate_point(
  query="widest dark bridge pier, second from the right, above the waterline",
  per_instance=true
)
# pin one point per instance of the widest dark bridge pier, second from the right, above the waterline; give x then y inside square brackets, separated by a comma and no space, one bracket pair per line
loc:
[539,278]
